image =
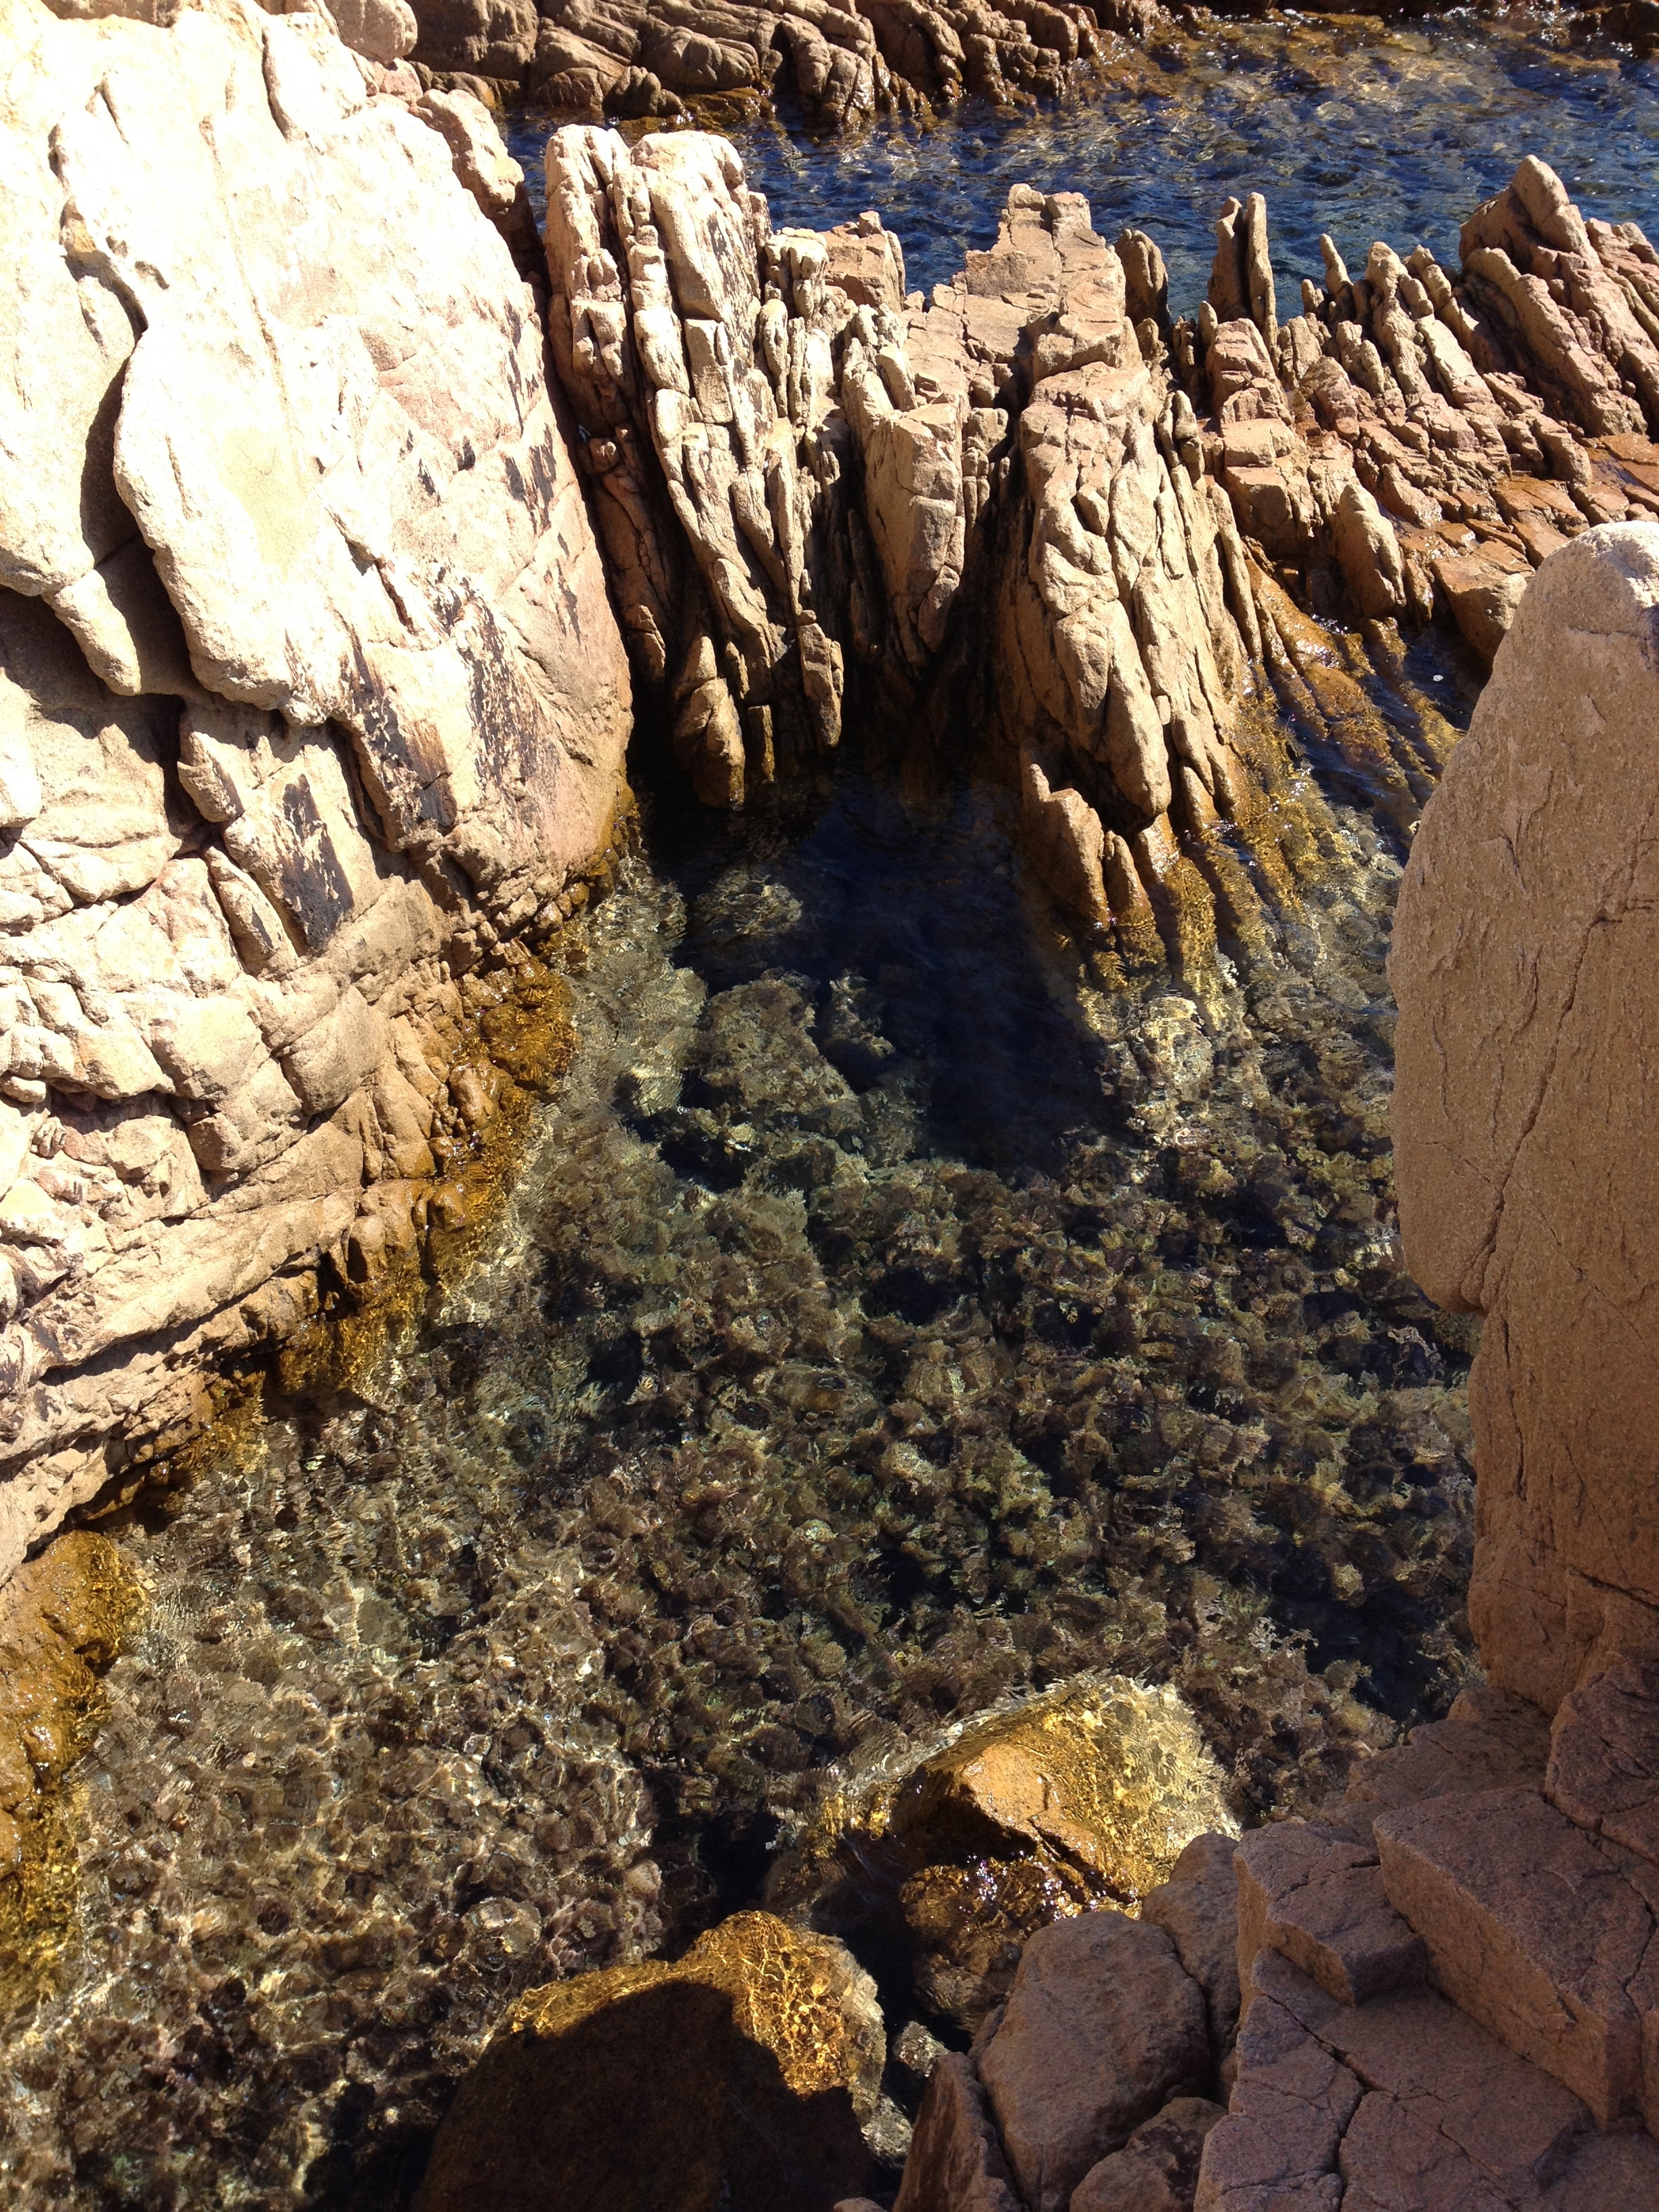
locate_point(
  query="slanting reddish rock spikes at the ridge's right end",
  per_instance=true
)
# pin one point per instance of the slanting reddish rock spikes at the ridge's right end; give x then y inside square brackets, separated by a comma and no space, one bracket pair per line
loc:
[1434,439]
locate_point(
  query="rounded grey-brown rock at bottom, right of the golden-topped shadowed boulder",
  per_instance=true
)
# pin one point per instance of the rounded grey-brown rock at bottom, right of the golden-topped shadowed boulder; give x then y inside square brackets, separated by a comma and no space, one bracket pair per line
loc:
[1103,2030]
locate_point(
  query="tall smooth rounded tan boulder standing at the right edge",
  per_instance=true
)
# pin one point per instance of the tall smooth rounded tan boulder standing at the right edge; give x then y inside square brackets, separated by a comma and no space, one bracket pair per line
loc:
[1523,974]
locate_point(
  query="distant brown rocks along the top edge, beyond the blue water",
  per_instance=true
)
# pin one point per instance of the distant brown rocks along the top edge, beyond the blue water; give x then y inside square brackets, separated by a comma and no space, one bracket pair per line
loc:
[842,63]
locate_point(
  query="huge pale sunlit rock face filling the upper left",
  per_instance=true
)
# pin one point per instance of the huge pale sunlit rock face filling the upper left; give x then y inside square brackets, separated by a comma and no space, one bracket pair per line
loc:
[311,693]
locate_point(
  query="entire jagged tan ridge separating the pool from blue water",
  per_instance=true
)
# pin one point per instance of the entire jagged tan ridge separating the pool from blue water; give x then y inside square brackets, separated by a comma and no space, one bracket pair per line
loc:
[1036,512]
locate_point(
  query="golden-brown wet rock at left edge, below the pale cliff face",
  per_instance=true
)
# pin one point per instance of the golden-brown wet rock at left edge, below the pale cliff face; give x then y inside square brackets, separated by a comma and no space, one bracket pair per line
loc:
[63,1620]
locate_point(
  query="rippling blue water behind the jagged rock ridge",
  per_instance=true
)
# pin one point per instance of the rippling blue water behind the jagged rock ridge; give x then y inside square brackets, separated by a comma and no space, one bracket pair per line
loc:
[1348,125]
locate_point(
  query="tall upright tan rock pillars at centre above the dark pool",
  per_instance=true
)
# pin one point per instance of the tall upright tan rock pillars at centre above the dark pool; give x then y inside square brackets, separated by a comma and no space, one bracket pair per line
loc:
[808,479]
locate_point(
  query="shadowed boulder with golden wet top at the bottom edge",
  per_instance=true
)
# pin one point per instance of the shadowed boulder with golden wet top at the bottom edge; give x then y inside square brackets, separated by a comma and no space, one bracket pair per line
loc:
[742,2072]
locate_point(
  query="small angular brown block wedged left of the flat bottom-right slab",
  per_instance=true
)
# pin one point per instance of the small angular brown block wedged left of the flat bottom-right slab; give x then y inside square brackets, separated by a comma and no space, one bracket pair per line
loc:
[1319,1897]
